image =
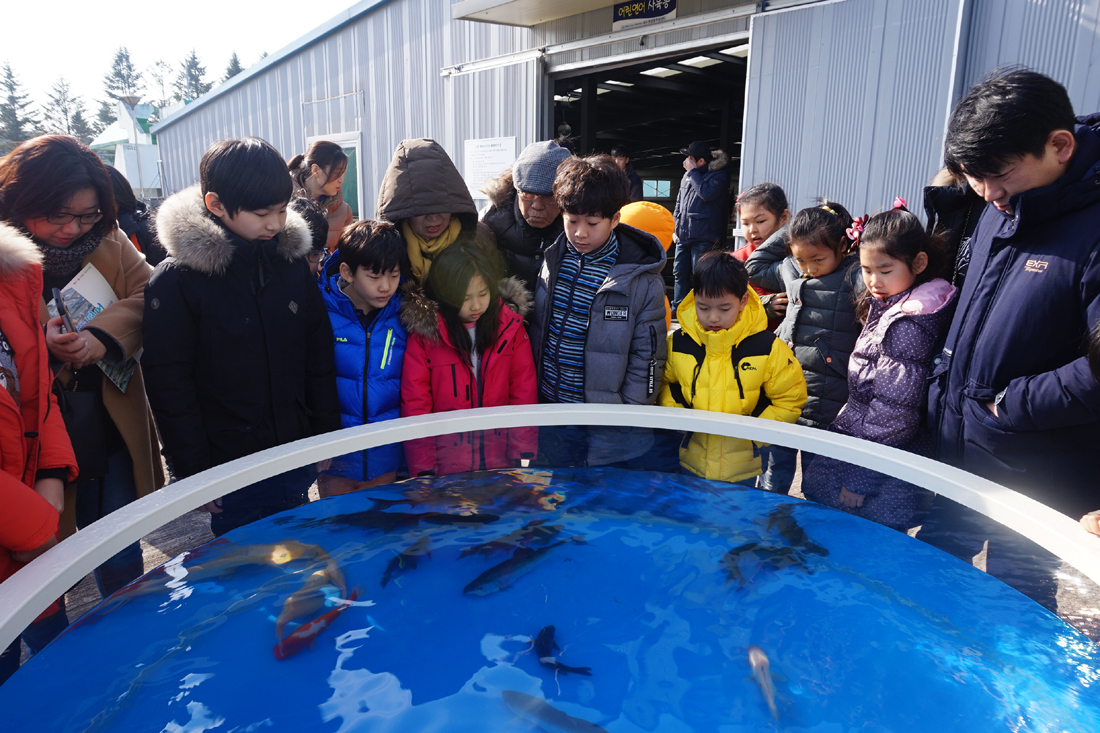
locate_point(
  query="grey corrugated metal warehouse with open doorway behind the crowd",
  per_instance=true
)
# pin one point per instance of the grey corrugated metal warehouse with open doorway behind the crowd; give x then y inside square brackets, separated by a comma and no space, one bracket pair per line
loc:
[844,99]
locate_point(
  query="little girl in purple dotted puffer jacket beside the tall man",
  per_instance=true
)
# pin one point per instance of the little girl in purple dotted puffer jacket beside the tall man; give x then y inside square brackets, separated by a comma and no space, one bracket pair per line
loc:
[906,310]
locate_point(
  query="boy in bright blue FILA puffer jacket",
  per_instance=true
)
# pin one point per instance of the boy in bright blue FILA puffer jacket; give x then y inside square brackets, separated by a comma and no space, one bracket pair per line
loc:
[360,286]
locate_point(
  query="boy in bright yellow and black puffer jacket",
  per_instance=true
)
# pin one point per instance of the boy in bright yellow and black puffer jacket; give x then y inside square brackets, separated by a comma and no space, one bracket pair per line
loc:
[724,359]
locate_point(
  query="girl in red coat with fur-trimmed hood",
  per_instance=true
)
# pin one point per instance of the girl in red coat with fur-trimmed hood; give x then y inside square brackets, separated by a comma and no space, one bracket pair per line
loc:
[468,348]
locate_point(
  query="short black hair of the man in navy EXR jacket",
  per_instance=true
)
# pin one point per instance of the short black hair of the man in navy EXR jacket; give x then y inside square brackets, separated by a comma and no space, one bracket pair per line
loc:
[1008,116]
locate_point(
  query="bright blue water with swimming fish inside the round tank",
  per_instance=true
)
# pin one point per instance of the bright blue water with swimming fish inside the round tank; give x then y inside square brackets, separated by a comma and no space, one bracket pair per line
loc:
[565,599]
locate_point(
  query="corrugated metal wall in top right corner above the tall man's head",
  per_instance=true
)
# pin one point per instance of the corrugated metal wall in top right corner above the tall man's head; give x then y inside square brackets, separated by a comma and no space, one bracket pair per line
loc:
[1059,38]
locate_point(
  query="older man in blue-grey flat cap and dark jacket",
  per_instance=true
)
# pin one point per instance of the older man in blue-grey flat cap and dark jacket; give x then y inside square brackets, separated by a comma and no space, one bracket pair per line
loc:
[524,214]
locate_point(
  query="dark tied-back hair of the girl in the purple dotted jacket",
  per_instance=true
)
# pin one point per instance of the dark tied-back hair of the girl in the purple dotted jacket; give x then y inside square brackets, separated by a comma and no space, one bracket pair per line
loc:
[900,236]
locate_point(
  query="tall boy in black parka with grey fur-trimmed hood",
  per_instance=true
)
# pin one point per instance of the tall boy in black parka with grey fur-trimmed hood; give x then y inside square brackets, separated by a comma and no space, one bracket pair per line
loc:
[238,343]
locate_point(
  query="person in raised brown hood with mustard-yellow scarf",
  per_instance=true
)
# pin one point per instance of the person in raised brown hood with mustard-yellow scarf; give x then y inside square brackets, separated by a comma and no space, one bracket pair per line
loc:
[426,198]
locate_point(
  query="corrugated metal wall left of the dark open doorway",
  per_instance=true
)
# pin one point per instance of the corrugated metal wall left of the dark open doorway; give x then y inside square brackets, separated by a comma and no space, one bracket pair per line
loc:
[379,75]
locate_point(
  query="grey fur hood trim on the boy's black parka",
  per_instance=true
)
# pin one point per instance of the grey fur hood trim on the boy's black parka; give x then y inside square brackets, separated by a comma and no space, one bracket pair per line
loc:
[197,240]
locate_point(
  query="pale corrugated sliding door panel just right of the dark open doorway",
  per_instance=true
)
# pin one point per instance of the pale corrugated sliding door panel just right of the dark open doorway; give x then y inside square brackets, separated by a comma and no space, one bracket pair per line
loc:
[849,101]
